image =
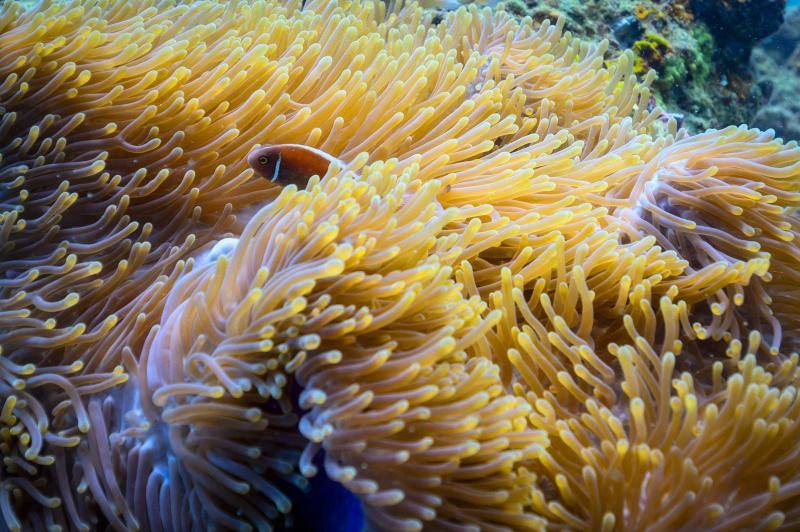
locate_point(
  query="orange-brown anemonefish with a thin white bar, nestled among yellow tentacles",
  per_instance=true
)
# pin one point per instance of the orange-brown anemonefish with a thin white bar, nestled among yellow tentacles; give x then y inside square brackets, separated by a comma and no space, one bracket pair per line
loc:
[290,164]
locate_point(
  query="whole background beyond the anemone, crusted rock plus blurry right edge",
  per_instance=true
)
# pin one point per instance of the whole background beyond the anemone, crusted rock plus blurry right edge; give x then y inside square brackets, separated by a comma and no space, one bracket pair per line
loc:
[719,62]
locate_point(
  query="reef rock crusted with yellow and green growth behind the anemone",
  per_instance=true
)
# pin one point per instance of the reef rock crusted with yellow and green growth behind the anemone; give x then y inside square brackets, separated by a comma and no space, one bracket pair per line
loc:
[698,48]
